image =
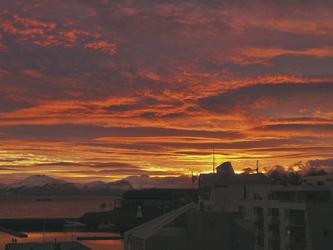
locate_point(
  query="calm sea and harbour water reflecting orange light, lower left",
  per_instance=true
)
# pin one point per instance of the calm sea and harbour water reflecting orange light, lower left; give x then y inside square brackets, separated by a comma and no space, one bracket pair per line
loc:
[59,207]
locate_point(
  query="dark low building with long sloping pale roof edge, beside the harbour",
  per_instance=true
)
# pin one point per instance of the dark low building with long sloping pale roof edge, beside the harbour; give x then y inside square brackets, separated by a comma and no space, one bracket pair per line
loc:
[184,228]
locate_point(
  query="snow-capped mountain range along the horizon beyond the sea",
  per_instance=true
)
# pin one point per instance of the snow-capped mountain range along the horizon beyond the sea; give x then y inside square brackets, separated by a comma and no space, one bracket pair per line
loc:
[43,185]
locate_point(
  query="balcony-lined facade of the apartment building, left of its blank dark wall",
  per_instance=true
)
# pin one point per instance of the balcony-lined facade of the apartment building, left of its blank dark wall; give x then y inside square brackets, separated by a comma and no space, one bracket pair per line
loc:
[275,222]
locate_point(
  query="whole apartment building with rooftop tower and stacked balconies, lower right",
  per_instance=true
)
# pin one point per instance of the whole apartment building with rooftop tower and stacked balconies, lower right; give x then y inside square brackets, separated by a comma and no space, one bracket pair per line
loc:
[284,217]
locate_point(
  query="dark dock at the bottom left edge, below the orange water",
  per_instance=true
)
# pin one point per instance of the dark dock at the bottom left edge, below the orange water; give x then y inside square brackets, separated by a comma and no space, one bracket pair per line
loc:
[66,245]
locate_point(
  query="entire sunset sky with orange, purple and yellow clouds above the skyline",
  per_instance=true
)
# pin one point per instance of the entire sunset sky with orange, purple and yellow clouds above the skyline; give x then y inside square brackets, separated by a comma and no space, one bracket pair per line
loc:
[112,89]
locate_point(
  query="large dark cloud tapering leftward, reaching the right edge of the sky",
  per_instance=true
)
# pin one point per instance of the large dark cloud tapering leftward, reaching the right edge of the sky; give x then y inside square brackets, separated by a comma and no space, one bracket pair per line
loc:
[245,99]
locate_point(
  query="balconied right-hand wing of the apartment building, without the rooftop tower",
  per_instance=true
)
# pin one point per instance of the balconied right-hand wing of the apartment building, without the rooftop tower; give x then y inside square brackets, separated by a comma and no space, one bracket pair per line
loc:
[292,217]
